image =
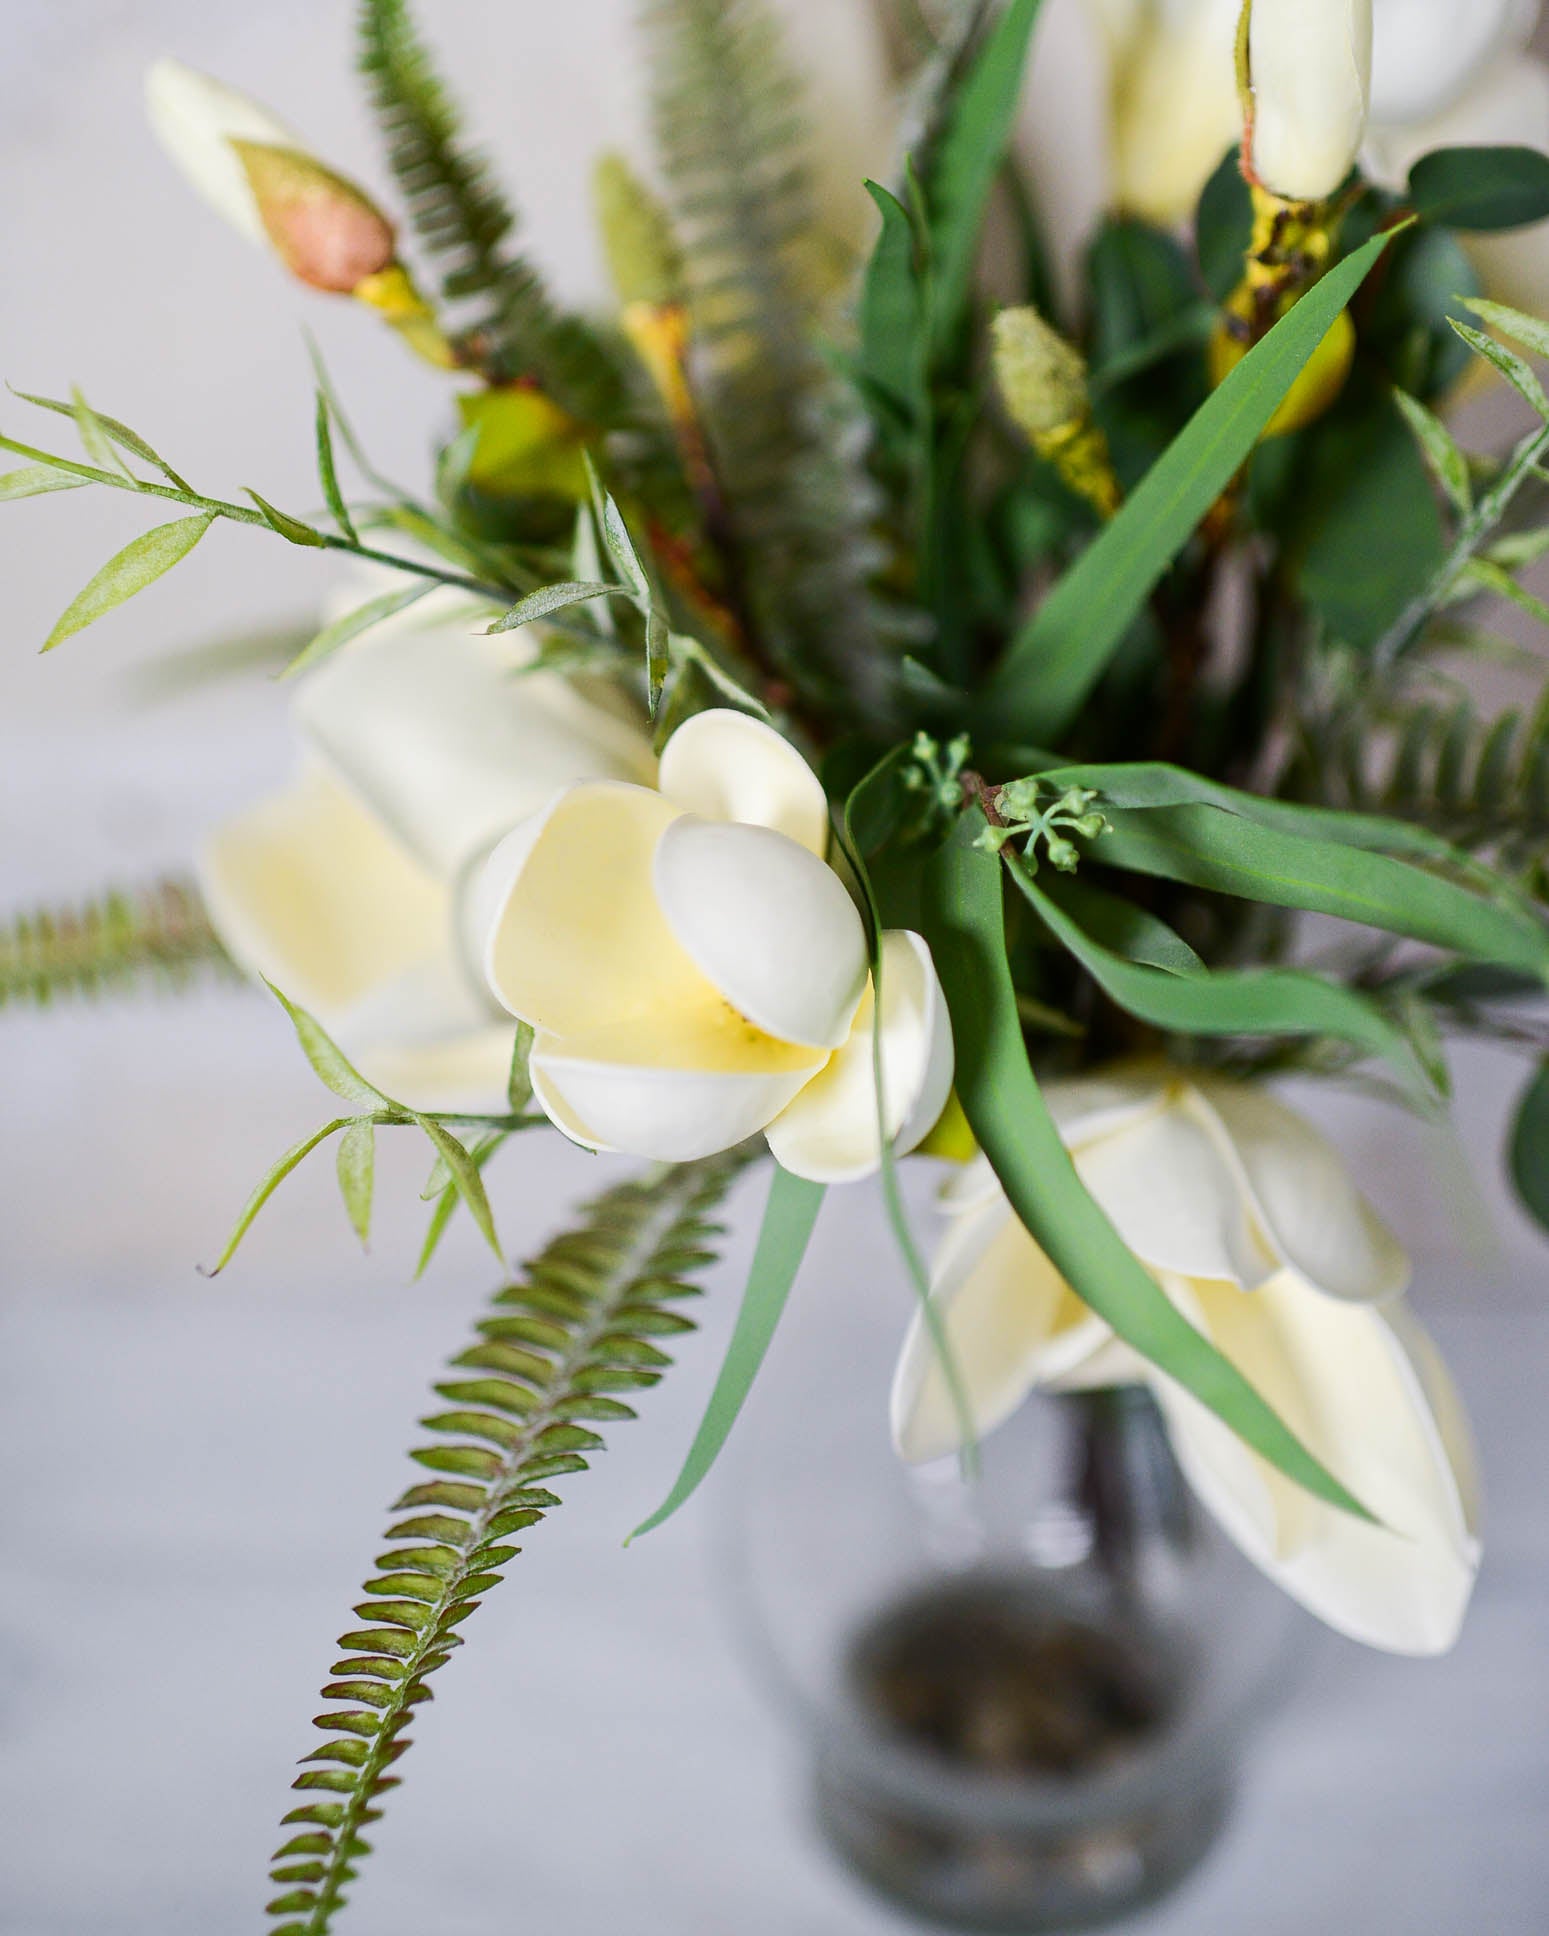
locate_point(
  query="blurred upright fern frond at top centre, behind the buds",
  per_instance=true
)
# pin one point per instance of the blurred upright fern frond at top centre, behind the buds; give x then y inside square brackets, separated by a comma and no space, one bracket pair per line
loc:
[783,433]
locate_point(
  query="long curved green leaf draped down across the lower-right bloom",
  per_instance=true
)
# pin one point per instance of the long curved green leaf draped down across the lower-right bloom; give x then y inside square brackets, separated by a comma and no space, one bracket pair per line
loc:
[1017,1134]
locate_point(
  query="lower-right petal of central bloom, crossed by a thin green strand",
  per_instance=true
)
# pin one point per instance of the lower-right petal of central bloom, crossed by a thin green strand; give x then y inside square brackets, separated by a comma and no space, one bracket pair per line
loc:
[830,1134]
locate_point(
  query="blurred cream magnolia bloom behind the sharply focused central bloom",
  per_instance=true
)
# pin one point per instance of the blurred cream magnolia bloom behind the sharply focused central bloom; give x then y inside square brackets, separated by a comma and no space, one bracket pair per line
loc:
[423,748]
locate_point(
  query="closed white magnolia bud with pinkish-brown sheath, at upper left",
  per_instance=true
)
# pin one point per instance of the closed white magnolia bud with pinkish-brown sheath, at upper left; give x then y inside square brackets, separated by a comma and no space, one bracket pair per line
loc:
[255,173]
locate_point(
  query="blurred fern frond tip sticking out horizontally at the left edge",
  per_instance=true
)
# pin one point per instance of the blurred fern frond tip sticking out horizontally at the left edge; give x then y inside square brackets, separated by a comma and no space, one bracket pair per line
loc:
[119,942]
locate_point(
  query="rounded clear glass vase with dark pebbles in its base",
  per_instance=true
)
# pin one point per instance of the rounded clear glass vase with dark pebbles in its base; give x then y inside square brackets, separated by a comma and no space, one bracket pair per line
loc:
[1025,1691]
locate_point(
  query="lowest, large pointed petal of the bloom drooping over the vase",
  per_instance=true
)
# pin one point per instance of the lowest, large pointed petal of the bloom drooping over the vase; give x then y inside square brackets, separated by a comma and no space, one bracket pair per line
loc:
[1343,1379]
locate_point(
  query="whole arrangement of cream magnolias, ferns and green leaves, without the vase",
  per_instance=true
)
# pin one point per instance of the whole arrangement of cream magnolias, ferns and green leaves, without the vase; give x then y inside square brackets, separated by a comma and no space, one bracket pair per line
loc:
[822,713]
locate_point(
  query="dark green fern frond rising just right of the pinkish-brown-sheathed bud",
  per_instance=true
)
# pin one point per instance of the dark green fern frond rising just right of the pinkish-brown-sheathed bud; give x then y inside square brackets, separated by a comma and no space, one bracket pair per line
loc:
[466,224]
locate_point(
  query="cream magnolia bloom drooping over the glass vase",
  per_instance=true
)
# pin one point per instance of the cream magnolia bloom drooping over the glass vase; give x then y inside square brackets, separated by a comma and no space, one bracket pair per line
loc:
[1250,1223]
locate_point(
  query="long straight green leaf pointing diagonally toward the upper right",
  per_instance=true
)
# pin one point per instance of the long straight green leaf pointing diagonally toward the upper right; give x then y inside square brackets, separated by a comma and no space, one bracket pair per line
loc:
[1062,653]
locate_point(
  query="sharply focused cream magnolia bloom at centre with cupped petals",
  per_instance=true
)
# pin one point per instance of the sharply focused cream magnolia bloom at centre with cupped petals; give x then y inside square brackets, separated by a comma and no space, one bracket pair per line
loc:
[696,973]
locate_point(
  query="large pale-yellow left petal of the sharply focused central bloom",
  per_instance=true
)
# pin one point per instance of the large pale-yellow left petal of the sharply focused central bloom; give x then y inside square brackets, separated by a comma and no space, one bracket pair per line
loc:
[566,923]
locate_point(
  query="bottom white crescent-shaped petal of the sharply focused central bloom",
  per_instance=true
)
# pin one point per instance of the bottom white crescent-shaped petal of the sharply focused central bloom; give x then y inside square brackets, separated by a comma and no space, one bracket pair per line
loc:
[671,1116]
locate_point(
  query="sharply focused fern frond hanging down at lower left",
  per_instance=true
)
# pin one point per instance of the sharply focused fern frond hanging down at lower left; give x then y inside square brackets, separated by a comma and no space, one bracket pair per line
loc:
[584,1325]
